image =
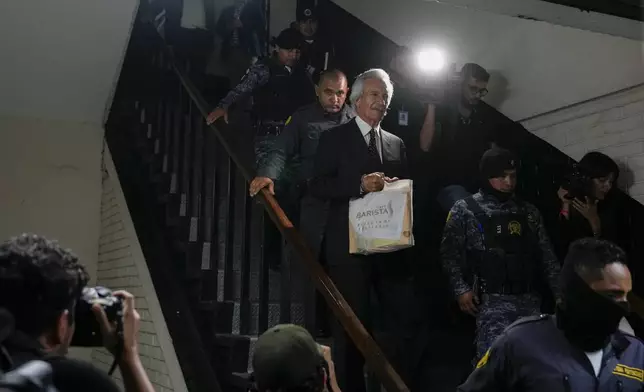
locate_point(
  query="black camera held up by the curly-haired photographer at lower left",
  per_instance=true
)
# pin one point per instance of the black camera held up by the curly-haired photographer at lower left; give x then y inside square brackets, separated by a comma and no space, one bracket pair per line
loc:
[88,330]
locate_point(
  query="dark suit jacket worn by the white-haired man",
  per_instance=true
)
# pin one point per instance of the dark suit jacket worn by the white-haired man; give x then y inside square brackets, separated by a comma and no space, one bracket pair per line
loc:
[340,162]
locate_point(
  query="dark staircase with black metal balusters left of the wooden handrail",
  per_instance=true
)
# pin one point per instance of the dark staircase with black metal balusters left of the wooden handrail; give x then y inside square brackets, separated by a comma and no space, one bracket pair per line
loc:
[201,234]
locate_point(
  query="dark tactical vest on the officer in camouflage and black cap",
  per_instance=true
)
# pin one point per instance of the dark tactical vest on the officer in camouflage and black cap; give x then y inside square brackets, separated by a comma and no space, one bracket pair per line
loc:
[510,259]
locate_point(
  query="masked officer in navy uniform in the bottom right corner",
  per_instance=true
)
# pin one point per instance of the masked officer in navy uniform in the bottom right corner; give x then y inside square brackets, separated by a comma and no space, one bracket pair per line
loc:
[578,349]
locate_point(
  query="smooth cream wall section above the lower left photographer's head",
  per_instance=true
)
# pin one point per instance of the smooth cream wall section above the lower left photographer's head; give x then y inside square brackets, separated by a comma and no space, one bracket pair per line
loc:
[50,184]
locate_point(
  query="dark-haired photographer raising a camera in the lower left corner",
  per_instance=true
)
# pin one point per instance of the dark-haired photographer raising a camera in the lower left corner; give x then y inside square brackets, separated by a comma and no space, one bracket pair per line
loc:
[40,286]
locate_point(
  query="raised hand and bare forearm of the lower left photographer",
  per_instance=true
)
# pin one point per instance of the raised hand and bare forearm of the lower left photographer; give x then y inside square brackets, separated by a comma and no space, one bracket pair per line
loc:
[134,376]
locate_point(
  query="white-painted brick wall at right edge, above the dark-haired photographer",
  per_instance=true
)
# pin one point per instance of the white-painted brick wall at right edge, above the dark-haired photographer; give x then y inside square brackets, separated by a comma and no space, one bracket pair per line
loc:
[612,124]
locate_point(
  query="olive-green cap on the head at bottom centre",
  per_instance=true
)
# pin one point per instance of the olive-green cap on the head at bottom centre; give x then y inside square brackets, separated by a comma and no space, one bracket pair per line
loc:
[285,357]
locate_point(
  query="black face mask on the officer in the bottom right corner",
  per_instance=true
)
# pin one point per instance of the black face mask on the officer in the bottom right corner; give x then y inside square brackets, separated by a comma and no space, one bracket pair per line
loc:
[587,318]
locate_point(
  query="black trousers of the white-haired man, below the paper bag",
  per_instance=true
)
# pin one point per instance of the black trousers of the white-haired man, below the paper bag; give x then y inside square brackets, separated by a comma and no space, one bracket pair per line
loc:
[365,282]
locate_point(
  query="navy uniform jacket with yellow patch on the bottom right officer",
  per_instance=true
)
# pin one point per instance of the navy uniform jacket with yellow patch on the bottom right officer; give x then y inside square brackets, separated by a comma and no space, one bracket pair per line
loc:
[533,355]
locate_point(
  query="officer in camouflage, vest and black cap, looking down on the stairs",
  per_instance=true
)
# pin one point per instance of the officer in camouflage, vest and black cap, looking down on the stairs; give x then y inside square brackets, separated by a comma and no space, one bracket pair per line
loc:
[496,251]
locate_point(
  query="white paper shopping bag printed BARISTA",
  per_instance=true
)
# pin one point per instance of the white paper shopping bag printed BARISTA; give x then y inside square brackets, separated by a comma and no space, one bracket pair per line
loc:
[382,222]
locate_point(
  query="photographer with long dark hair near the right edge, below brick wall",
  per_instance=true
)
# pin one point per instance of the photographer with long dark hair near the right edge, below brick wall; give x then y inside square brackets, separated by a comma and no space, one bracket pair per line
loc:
[588,207]
